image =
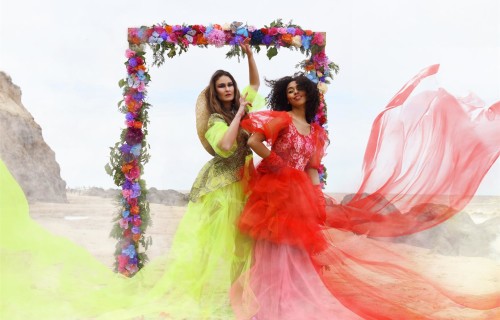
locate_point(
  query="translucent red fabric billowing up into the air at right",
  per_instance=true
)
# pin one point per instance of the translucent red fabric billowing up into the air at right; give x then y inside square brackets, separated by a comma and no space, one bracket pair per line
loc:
[425,159]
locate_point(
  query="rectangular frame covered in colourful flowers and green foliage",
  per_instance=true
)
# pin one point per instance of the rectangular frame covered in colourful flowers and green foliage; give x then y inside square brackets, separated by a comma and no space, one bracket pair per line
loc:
[129,155]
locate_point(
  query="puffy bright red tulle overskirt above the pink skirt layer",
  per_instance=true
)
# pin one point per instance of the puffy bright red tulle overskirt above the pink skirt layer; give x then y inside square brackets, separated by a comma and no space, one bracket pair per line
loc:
[283,208]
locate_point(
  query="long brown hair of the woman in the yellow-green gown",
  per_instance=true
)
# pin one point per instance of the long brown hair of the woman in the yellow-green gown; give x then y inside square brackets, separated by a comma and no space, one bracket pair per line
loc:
[214,104]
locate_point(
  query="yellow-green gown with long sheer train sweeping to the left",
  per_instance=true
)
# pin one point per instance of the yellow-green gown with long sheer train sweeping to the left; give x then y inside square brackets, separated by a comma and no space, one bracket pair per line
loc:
[43,276]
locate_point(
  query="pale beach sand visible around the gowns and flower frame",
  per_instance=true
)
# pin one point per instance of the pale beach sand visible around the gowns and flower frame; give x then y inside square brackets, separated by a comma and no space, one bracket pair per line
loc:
[87,221]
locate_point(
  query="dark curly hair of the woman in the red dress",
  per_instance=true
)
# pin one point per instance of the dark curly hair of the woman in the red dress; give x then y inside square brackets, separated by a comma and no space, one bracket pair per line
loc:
[278,101]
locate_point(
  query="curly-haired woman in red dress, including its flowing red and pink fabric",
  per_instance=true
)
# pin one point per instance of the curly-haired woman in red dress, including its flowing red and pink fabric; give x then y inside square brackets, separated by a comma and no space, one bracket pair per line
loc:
[312,263]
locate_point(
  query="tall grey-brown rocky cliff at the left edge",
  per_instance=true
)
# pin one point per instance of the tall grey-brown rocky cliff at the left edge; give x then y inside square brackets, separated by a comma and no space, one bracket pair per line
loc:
[23,150]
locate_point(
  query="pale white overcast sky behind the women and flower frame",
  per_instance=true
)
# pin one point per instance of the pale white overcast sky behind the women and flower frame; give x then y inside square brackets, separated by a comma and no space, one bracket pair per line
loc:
[67,57]
